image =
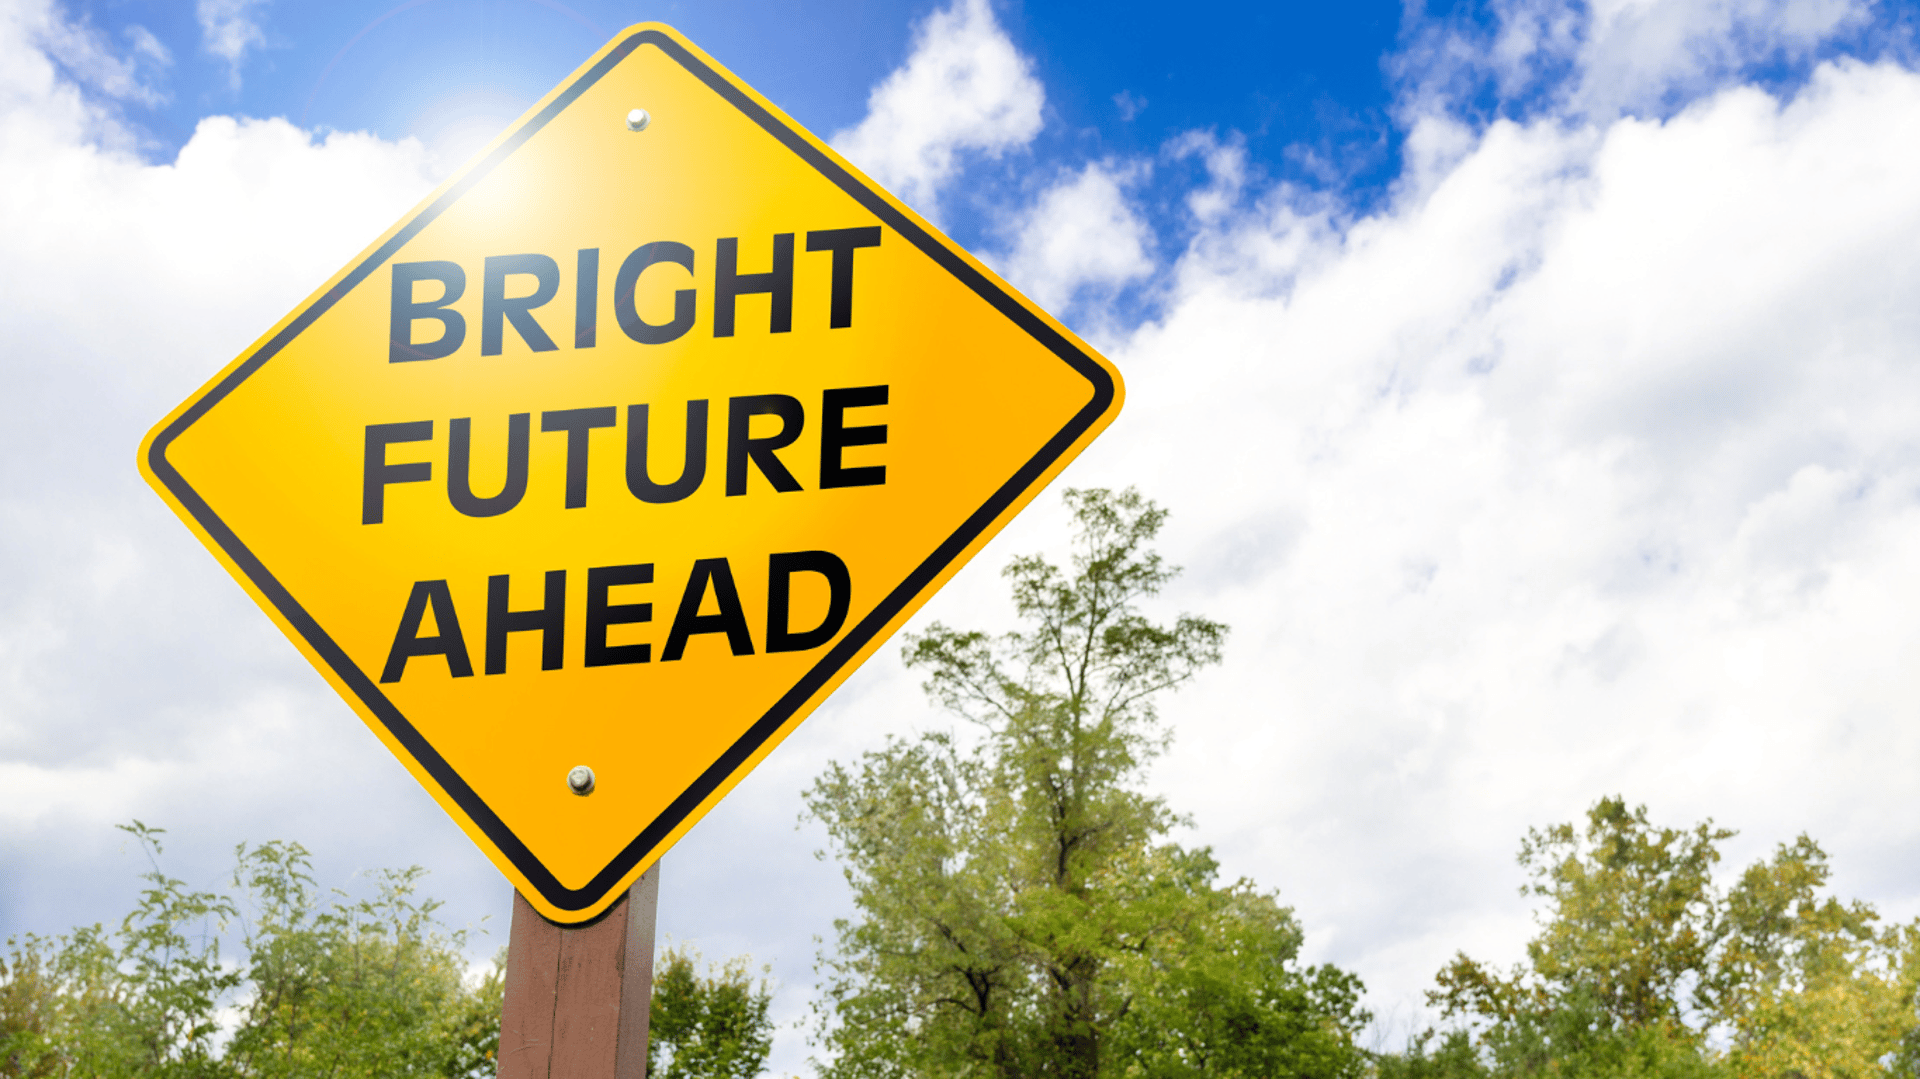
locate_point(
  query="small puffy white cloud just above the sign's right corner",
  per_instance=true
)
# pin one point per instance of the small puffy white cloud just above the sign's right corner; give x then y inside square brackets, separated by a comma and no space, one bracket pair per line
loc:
[1082,233]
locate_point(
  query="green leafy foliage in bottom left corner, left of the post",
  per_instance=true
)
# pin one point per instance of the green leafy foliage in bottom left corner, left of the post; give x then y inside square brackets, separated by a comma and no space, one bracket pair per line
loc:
[327,986]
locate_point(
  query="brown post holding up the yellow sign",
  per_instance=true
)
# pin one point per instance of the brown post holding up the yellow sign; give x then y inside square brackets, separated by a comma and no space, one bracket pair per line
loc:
[577,997]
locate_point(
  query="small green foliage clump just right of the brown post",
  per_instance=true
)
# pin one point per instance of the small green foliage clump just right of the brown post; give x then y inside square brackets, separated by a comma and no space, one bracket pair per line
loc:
[709,1026]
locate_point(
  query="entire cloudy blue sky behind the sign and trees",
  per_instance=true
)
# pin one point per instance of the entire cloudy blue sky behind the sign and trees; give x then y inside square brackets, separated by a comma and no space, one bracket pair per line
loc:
[1535,389]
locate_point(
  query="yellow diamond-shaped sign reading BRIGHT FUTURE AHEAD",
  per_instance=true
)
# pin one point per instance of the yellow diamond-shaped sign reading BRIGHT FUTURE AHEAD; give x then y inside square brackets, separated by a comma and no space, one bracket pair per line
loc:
[592,477]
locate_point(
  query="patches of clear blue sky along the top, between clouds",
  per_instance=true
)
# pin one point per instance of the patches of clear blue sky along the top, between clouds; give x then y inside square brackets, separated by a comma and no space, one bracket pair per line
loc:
[1312,89]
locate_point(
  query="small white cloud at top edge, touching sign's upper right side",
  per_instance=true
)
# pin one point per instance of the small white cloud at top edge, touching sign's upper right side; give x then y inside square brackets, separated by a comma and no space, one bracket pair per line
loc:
[965,89]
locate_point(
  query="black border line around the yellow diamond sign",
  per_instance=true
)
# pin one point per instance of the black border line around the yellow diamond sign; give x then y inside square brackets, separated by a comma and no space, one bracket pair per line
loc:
[838,658]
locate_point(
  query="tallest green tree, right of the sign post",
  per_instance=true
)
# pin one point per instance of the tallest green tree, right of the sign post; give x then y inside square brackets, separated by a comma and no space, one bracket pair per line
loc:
[1020,907]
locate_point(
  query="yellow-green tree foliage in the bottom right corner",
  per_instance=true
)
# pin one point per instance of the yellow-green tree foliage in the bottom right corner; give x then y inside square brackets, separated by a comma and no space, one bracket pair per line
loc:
[1643,967]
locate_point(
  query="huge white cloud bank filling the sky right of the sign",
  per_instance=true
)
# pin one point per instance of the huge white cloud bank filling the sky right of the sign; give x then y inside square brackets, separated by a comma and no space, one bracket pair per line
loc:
[1585,468]
